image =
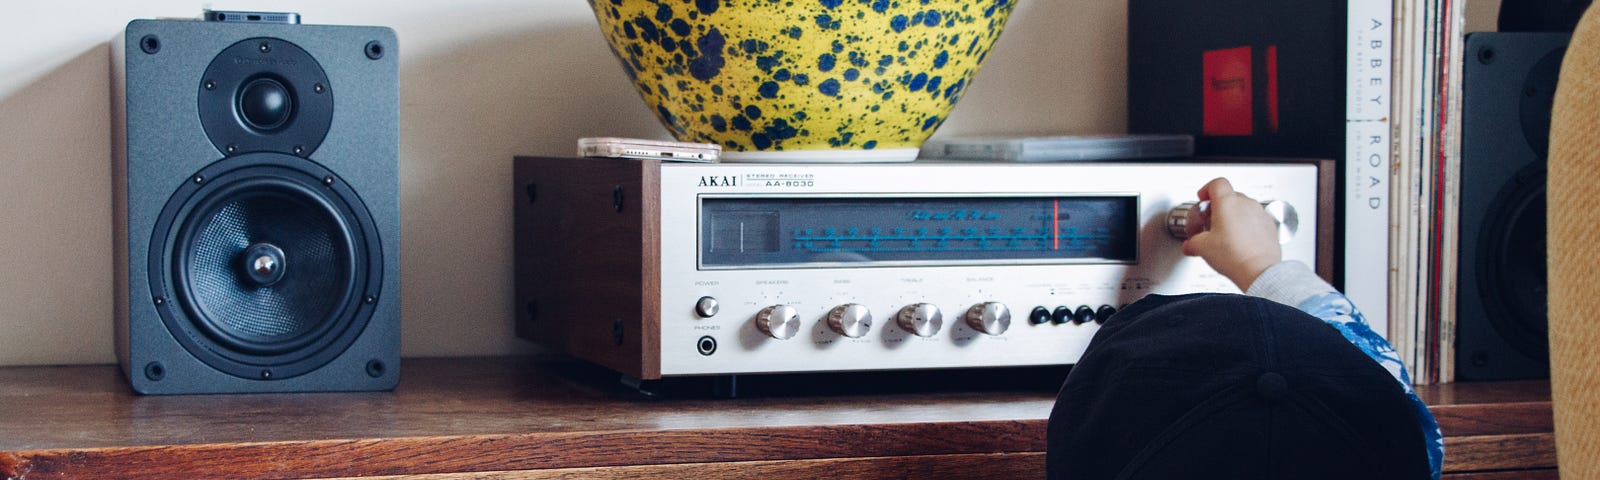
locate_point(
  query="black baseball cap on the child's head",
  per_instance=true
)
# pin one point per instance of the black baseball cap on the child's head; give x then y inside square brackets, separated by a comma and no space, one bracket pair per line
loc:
[1230,386]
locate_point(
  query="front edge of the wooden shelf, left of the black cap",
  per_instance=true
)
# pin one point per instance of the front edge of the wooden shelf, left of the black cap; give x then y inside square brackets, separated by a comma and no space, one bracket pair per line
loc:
[530,452]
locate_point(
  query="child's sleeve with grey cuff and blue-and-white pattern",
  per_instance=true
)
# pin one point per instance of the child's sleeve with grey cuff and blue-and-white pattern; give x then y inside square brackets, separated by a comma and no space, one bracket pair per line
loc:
[1295,284]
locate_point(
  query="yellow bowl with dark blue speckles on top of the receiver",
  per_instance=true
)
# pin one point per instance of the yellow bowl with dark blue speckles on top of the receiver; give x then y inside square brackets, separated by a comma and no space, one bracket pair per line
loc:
[802,81]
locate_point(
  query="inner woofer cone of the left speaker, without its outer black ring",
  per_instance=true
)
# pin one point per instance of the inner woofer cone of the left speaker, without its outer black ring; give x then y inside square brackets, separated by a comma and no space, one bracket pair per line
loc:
[263,265]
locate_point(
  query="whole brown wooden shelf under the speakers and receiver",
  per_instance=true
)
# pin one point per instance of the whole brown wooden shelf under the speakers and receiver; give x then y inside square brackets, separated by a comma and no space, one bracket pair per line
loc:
[530,418]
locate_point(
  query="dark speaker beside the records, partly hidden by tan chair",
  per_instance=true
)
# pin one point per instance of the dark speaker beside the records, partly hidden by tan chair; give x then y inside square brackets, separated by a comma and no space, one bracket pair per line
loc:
[1508,89]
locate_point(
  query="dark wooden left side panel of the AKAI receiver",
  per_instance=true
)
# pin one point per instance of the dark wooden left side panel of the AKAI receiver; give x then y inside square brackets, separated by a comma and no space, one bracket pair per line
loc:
[588,266]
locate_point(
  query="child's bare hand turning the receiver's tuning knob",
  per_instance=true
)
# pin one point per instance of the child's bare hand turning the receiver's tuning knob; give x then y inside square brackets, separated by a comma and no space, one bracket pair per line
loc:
[1236,236]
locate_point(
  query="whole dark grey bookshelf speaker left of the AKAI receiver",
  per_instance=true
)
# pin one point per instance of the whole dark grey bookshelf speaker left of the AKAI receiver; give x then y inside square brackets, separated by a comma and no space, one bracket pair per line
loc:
[257,207]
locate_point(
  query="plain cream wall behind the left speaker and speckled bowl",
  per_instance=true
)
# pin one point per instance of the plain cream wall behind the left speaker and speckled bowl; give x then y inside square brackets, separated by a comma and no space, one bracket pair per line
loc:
[481,81]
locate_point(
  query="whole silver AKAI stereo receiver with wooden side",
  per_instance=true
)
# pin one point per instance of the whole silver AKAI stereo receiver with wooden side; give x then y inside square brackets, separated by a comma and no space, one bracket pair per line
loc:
[703,270]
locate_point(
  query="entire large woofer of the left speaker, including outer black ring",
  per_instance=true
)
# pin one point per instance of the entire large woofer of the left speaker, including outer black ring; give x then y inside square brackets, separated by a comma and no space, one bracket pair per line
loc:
[270,266]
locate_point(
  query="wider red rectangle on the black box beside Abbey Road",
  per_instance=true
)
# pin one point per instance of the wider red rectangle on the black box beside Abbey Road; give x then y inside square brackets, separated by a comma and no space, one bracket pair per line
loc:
[1226,92]
